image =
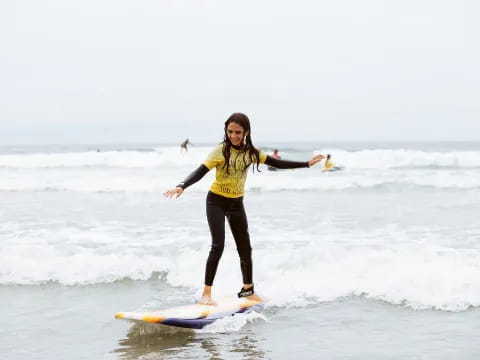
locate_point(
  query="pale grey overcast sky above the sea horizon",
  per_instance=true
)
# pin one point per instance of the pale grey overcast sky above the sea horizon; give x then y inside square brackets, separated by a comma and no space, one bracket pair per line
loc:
[95,71]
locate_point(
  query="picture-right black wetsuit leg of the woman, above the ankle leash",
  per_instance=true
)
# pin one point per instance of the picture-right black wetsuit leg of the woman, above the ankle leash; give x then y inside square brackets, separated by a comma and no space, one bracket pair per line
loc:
[237,219]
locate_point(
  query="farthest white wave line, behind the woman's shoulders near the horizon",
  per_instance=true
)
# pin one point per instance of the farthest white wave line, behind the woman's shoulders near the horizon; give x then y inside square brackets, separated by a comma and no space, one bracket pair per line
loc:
[171,157]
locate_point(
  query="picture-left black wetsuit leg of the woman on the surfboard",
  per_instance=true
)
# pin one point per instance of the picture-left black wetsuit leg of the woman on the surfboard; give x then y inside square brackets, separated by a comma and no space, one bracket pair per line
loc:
[216,221]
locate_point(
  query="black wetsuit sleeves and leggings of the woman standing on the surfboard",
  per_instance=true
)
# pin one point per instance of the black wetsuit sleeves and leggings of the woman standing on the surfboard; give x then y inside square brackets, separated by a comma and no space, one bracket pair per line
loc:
[219,208]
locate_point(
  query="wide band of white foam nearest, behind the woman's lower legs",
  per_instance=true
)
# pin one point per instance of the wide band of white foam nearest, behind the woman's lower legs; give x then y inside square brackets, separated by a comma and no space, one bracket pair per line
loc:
[419,270]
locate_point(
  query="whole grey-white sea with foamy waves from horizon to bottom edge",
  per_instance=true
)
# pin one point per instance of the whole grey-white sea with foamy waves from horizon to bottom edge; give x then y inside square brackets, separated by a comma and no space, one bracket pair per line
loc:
[378,261]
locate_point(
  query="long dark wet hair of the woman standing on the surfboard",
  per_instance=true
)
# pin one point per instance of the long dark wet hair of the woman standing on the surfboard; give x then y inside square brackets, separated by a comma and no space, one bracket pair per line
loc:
[249,151]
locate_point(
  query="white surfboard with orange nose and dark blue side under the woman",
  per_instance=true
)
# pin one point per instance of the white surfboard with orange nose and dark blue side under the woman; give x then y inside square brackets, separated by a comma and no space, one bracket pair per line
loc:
[195,316]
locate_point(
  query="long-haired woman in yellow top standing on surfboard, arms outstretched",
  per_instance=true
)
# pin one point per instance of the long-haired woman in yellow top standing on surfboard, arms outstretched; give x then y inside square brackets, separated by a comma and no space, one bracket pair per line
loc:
[231,159]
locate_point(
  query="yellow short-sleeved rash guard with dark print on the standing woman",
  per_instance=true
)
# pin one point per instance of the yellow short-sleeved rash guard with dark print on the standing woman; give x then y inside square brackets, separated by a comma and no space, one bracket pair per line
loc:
[230,185]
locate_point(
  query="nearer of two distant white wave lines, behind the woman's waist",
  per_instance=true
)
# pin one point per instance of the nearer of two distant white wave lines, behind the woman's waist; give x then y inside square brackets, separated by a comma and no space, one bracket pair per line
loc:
[157,180]
